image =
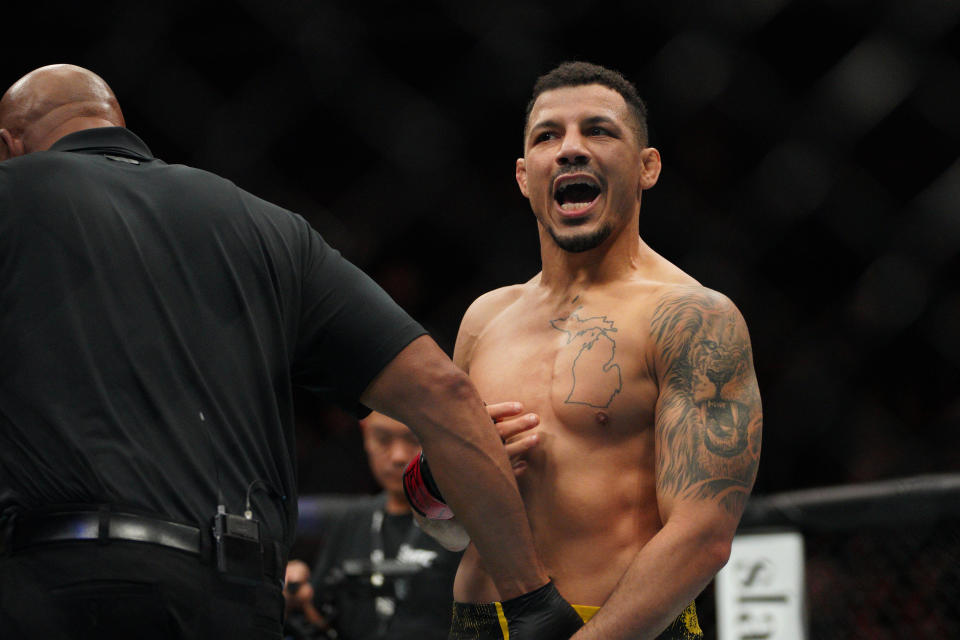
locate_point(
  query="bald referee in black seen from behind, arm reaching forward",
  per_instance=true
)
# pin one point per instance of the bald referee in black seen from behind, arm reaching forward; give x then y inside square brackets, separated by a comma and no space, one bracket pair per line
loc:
[153,321]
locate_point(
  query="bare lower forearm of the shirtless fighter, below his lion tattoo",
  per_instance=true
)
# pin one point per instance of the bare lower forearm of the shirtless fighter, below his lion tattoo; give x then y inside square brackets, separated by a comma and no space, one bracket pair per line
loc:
[667,575]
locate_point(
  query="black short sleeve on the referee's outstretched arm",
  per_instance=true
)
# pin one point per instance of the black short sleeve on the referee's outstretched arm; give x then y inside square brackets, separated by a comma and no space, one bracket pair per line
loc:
[349,328]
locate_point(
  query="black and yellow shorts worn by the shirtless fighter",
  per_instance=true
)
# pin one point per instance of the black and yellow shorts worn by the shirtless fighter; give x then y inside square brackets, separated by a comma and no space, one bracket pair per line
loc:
[487,622]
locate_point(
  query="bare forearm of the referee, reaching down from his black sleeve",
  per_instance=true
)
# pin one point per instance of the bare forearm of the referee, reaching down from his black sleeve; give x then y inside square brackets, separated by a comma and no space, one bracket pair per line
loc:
[423,389]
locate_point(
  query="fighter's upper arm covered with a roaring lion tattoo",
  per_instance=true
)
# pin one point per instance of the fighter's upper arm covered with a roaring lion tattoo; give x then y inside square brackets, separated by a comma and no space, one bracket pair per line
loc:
[708,417]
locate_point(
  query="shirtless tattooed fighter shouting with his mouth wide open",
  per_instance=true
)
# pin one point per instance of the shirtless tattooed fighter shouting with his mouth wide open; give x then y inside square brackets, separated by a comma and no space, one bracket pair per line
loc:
[641,379]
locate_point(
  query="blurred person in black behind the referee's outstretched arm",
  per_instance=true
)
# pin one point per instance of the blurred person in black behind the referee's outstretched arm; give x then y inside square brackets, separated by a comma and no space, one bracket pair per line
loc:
[377,574]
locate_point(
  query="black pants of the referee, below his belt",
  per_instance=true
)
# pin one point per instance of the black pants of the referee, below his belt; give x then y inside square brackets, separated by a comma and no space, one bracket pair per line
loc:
[81,590]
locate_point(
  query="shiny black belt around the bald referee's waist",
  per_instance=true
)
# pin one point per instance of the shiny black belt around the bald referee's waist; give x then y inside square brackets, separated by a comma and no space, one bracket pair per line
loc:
[30,529]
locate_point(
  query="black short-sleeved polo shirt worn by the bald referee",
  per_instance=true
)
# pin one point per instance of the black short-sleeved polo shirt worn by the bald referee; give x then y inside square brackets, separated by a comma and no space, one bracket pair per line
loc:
[153,319]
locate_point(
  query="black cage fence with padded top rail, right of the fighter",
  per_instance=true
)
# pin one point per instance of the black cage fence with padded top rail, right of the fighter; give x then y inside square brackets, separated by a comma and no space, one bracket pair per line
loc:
[882,559]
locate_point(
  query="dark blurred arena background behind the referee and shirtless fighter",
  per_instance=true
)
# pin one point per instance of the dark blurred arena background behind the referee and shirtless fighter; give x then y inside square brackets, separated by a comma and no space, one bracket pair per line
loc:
[810,173]
